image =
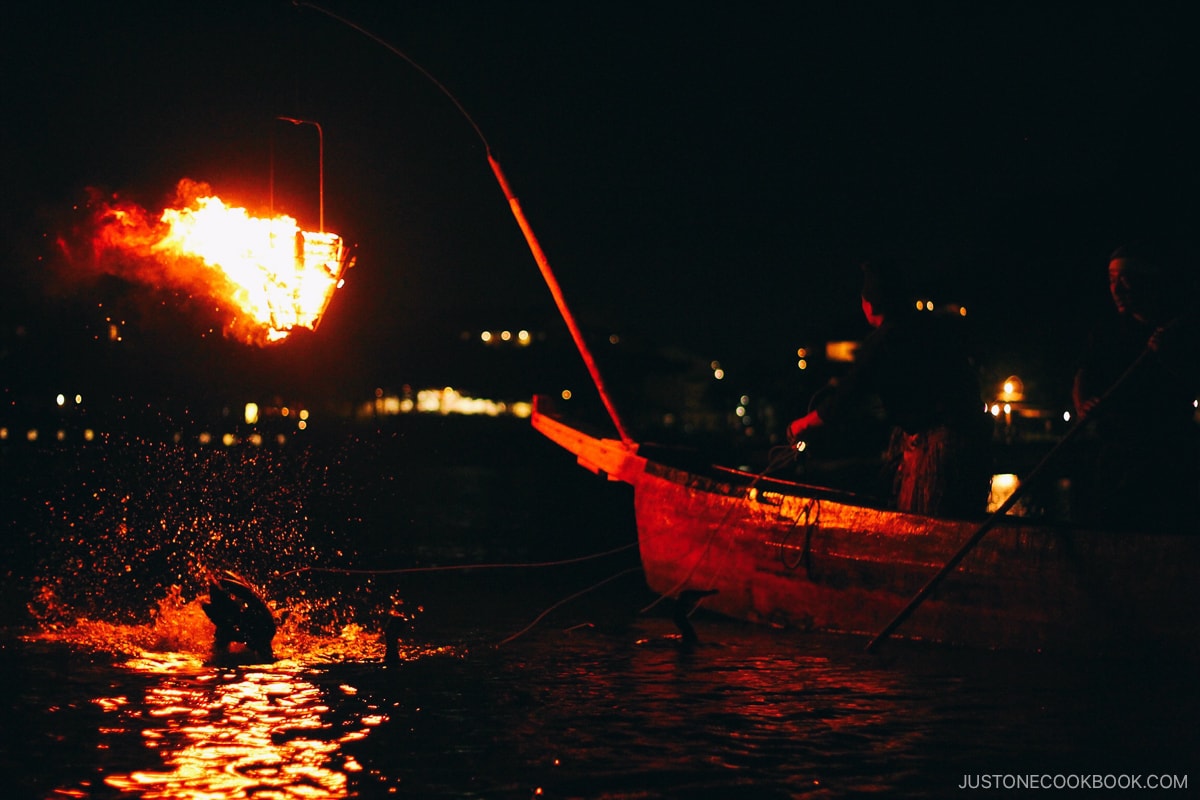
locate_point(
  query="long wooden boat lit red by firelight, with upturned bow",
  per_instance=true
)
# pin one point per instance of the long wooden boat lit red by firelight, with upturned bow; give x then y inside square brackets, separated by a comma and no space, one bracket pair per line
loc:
[812,558]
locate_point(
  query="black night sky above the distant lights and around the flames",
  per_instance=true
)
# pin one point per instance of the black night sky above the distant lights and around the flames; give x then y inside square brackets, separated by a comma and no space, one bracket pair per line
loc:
[701,176]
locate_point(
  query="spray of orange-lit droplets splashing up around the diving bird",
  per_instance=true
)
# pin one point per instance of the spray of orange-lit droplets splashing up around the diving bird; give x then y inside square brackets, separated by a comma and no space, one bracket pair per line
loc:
[123,536]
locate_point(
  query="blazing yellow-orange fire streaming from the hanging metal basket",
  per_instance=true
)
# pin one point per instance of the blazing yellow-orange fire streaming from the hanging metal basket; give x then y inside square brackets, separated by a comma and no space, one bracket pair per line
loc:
[277,276]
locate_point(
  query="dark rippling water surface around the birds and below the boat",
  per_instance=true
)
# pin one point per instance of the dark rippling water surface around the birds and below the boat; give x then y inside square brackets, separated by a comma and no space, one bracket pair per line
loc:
[514,682]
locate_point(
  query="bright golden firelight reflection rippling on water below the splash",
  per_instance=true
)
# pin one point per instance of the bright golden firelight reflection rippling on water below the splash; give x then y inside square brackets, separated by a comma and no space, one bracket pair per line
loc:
[251,735]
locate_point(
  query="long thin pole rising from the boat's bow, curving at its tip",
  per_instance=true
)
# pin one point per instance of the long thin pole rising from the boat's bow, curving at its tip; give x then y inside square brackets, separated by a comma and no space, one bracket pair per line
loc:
[518,213]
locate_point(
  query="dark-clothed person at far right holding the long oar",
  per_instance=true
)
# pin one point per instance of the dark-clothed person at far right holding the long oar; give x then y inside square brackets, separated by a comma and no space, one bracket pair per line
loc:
[1145,470]
